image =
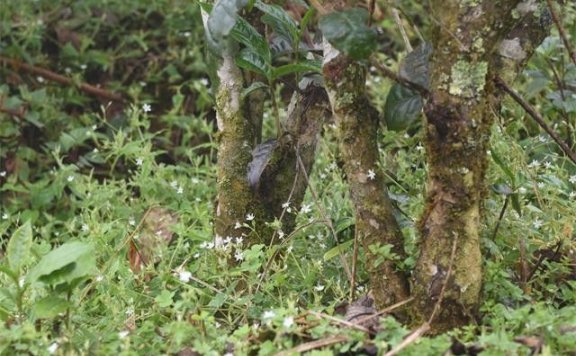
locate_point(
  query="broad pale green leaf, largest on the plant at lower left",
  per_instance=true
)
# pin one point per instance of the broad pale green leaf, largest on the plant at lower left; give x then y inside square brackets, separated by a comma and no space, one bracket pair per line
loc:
[66,264]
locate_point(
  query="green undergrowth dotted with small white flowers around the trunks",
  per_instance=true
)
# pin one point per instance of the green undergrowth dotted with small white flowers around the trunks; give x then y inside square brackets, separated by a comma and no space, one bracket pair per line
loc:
[106,242]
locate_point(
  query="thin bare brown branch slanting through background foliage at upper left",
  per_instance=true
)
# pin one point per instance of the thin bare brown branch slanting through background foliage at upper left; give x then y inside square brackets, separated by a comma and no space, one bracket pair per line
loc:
[58,78]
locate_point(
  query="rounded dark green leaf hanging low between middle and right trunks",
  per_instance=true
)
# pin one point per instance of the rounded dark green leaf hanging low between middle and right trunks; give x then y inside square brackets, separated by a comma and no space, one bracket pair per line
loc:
[403,107]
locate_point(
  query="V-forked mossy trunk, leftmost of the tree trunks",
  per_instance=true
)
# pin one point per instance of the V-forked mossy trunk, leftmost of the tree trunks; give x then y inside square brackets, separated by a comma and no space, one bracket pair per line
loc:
[255,179]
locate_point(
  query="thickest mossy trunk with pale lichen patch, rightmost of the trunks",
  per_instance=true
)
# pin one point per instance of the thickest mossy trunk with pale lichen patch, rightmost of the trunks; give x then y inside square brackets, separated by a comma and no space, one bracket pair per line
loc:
[467,42]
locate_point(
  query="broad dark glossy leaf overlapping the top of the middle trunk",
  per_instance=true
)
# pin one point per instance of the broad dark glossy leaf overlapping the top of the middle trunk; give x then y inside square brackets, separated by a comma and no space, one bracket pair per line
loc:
[348,32]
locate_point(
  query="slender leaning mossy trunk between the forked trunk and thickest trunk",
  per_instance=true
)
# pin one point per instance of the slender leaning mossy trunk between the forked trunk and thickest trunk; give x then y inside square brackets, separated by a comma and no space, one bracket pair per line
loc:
[357,123]
